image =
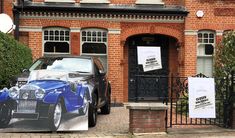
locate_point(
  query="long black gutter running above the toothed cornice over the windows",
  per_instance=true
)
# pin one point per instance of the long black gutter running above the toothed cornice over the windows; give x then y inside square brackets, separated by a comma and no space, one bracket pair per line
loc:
[99,8]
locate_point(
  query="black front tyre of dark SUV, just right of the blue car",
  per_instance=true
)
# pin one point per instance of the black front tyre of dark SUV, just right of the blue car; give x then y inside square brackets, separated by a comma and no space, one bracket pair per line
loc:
[92,112]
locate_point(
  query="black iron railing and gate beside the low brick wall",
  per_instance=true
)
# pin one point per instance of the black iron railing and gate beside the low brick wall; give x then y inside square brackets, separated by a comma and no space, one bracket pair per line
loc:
[173,91]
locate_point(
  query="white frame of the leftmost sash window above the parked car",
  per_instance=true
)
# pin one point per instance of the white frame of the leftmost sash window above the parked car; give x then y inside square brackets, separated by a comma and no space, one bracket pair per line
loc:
[59,37]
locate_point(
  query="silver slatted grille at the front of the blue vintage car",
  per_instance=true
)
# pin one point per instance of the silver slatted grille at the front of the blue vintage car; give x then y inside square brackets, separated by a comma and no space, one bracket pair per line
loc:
[26,106]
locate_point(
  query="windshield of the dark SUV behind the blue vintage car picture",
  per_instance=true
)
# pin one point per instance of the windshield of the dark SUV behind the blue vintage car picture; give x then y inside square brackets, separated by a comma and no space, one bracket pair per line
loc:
[81,65]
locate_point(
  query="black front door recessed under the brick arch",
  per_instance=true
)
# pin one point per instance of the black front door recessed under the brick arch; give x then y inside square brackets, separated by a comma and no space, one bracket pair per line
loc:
[151,85]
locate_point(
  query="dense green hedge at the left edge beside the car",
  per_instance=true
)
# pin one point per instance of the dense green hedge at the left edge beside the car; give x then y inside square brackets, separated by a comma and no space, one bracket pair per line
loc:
[14,57]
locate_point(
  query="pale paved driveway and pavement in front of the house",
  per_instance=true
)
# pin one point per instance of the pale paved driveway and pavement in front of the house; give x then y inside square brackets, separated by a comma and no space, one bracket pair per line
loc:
[116,125]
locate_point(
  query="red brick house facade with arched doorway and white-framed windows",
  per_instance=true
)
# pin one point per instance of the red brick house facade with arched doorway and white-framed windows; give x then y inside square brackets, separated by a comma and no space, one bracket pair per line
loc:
[186,30]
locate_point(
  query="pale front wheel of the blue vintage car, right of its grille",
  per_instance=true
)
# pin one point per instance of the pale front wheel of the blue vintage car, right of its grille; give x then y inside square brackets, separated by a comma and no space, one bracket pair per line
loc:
[54,116]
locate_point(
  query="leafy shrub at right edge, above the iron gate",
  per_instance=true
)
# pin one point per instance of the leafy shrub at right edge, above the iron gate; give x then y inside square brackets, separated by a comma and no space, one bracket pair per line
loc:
[225,55]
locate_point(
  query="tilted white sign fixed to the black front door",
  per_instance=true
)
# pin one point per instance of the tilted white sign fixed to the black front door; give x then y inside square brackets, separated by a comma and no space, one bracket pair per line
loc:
[149,57]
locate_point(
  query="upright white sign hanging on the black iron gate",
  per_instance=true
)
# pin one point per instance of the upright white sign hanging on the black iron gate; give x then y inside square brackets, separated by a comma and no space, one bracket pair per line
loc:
[201,97]
